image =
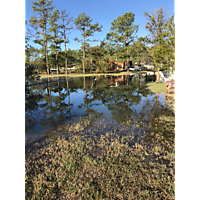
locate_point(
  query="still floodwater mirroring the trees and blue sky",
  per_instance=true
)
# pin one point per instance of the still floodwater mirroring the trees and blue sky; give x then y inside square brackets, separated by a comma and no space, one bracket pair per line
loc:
[94,106]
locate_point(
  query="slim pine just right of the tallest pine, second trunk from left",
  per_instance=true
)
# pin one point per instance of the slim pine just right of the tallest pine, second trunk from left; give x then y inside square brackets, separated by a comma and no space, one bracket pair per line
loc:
[55,39]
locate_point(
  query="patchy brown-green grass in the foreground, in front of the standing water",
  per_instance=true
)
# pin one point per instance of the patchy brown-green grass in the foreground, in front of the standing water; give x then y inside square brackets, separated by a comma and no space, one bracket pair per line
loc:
[105,167]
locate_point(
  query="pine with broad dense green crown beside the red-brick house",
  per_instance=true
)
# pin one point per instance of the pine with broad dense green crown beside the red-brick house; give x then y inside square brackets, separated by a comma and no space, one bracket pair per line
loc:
[123,31]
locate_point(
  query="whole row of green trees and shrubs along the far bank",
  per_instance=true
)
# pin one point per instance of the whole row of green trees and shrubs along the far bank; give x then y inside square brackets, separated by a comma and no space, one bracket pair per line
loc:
[51,27]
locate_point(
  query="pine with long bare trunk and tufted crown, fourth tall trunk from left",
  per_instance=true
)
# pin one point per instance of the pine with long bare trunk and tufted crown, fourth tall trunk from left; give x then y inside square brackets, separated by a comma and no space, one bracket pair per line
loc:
[83,24]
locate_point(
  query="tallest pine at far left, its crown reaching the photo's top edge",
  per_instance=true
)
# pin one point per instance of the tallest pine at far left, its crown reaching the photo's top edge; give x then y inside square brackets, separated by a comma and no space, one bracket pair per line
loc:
[42,8]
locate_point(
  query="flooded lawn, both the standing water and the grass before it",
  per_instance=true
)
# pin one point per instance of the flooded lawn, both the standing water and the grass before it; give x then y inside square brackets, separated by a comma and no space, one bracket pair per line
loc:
[88,137]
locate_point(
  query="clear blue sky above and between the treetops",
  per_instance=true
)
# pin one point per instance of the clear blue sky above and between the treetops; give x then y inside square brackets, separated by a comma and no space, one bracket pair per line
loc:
[104,12]
